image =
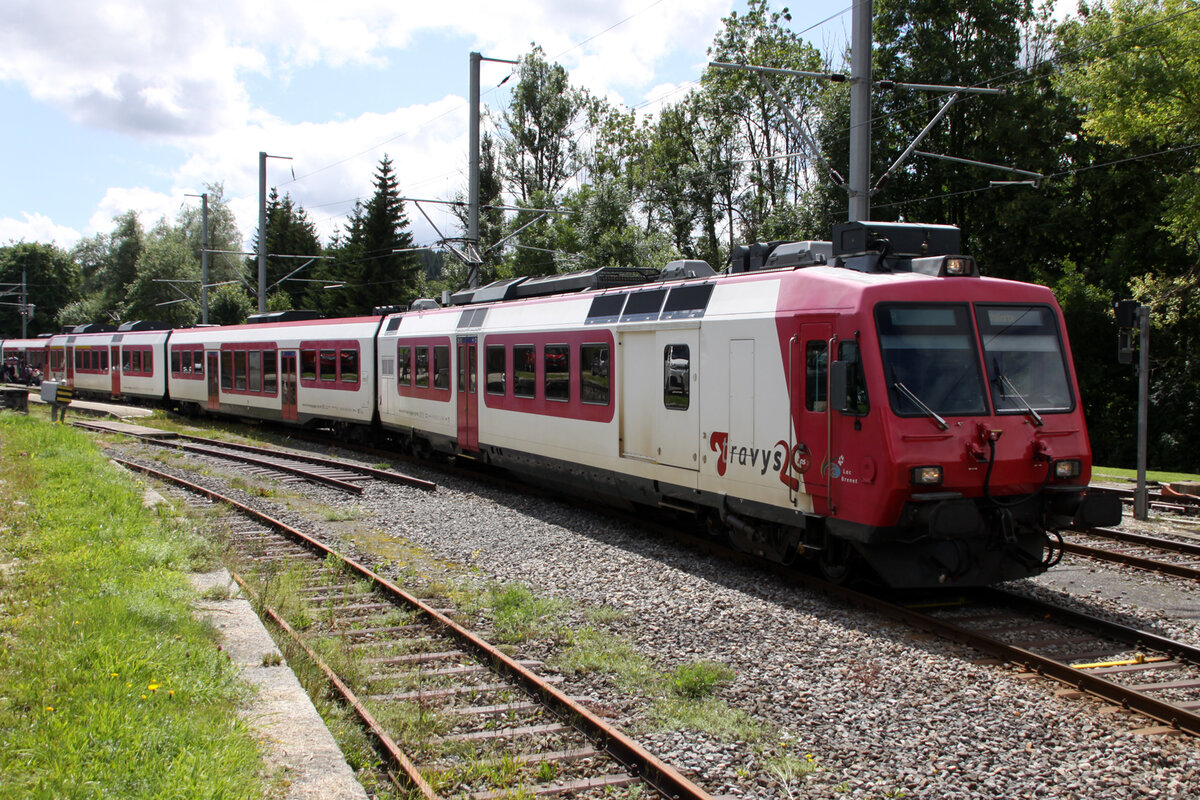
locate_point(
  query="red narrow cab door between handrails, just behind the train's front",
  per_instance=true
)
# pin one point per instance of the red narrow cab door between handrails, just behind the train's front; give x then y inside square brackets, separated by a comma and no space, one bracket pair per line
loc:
[814,459]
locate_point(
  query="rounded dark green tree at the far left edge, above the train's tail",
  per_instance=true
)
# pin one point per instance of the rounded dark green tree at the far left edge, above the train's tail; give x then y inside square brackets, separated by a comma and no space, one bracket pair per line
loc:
[52,282]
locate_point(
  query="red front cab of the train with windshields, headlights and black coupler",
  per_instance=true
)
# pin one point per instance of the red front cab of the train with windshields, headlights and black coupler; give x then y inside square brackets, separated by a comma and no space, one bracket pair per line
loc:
[957,446]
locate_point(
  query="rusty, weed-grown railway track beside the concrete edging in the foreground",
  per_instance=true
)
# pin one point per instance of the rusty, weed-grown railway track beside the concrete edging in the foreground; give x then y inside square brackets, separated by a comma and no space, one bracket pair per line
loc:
[453,714]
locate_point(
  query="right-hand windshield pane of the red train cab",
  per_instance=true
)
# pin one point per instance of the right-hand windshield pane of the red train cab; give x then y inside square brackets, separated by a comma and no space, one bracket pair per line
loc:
[1024,358]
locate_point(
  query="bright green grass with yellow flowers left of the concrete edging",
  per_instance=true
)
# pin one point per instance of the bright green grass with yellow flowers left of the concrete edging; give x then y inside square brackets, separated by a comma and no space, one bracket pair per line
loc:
[109,685]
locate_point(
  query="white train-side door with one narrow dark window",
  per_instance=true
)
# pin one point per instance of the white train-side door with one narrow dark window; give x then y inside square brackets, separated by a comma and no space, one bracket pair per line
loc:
[677,402]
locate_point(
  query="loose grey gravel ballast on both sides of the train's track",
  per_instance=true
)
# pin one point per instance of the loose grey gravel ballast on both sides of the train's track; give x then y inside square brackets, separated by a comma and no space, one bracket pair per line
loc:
[880,709]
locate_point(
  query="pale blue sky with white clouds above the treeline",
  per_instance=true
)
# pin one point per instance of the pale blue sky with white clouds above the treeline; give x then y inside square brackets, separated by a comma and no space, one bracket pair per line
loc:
[119,105]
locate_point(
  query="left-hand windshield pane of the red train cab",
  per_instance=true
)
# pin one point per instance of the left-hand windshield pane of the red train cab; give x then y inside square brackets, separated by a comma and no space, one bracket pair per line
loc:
[931,359]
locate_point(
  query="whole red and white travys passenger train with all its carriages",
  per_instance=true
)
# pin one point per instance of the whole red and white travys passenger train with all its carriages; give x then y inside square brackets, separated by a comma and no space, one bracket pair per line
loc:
[872,405]
